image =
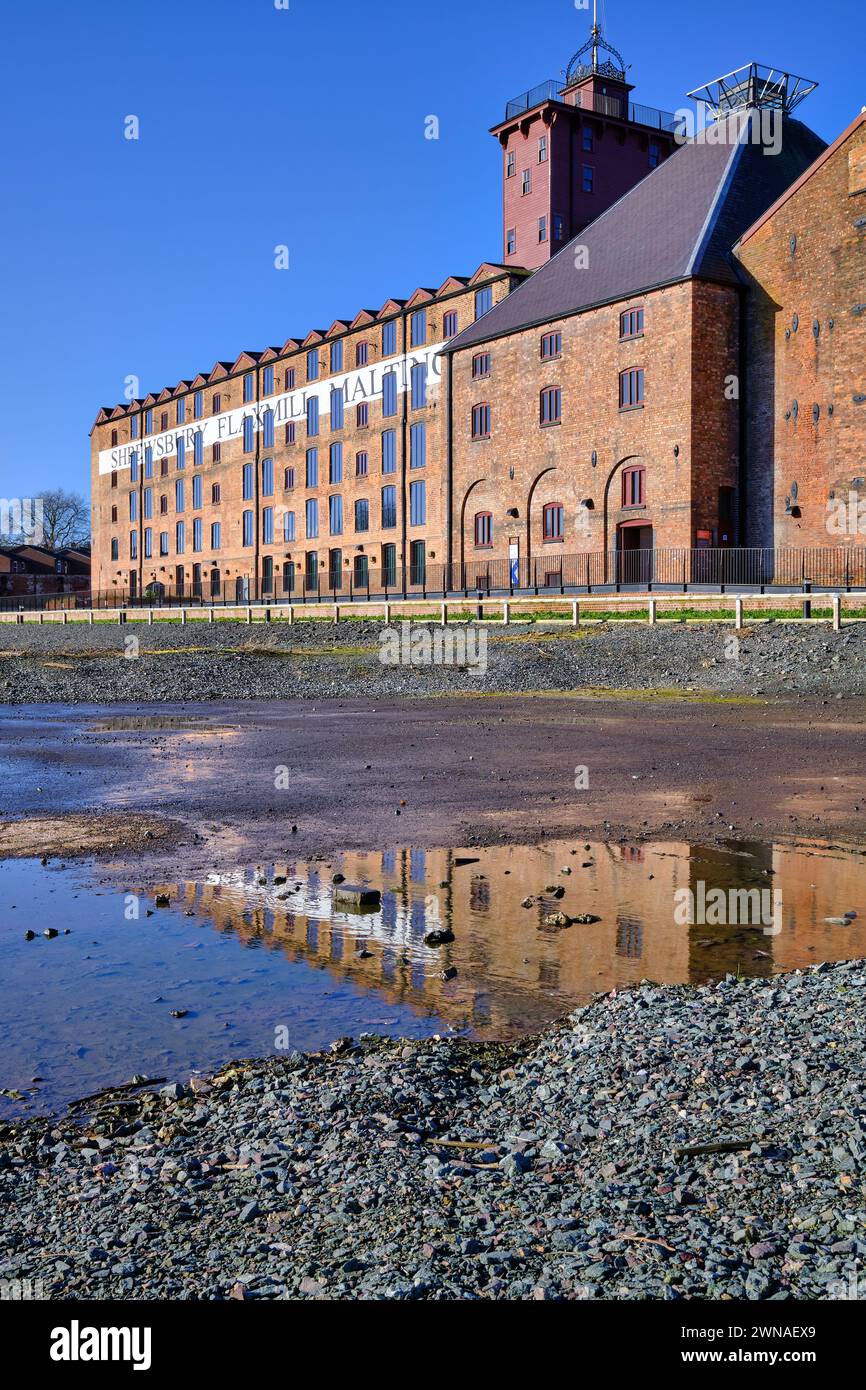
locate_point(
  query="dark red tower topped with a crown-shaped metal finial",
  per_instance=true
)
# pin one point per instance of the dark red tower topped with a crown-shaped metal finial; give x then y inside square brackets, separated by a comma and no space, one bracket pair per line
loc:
[571,149]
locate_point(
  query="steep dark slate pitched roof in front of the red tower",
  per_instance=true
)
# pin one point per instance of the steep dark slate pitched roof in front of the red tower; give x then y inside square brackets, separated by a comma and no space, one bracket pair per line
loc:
[678,223]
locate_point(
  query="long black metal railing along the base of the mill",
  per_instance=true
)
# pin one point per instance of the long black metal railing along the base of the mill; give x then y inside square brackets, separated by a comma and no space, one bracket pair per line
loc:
[672,569]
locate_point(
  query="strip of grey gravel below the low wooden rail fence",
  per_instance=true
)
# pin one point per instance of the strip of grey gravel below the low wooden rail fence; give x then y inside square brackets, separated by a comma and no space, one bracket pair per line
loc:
[316,661]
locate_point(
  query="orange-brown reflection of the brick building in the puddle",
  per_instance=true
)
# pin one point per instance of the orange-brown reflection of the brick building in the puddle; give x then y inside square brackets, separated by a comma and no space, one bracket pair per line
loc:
[514,974]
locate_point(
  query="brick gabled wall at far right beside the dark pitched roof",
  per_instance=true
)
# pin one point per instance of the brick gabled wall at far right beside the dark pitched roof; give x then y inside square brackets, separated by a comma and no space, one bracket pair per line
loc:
[821,281]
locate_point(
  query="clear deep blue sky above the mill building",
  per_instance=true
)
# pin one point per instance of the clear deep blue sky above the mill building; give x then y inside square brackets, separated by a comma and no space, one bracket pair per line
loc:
[304,127]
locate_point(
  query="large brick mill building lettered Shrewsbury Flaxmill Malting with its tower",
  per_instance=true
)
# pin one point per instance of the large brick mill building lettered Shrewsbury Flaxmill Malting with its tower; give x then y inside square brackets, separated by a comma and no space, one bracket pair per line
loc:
[667,366]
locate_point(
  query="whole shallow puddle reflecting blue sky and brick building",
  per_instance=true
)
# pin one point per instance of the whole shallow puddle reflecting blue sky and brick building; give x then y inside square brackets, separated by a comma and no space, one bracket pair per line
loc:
[266,958]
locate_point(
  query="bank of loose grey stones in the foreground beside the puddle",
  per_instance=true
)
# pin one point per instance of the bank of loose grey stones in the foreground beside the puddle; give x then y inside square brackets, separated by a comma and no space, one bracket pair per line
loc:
[330,1177]
